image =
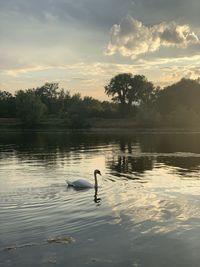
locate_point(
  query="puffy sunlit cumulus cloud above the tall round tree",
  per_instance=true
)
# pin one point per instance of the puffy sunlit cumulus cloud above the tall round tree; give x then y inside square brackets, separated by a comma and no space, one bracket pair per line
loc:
[132,38]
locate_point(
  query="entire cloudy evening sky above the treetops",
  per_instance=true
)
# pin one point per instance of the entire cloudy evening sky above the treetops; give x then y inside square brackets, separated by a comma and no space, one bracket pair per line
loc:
[82,44]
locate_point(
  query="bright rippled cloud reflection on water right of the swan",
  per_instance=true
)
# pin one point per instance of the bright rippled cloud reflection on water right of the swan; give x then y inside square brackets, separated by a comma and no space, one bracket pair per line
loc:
[150,212]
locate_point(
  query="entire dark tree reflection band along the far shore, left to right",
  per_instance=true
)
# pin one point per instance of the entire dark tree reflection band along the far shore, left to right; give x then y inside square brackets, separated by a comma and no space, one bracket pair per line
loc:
[128,156]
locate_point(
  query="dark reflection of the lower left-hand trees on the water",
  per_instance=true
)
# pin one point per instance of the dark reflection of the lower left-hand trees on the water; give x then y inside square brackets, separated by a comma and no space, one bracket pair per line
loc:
[48,149]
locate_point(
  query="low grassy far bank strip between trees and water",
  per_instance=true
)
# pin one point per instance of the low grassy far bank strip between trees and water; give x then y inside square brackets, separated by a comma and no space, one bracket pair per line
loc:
[94,125]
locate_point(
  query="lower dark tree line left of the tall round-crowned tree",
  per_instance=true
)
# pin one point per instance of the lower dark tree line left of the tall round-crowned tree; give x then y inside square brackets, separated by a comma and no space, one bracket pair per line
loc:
[50,101]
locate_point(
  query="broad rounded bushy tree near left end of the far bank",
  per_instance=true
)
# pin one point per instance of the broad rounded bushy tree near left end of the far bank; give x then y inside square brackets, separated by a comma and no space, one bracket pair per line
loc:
[29,107]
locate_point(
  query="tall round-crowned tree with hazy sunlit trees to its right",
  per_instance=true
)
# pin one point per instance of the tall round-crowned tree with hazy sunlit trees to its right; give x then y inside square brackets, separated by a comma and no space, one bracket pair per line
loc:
[176,105]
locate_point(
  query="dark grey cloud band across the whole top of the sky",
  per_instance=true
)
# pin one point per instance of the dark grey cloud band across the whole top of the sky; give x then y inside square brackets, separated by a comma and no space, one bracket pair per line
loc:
[104,13]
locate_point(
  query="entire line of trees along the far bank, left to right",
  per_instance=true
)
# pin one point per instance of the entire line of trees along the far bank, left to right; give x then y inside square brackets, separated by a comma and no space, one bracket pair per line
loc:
[133,97]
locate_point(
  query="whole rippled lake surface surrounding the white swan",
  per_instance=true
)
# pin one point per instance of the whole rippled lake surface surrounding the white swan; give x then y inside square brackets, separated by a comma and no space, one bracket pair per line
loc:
[146,211]
